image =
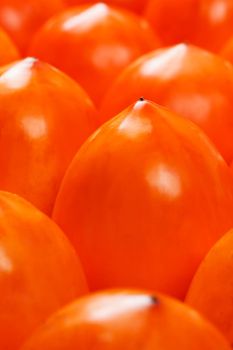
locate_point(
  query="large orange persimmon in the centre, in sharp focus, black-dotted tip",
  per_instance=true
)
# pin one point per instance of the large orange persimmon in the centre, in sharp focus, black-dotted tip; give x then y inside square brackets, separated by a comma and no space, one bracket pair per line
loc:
[143,211]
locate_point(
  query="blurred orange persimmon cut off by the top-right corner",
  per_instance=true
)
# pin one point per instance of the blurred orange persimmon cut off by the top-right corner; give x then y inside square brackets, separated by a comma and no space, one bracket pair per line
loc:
[206,23]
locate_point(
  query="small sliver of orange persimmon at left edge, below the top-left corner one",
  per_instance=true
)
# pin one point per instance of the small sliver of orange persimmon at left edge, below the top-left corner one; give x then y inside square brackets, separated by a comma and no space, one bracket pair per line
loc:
[8,51]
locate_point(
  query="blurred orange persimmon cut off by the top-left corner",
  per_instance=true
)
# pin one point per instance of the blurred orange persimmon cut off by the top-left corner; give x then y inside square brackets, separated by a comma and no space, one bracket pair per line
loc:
[21,19]
